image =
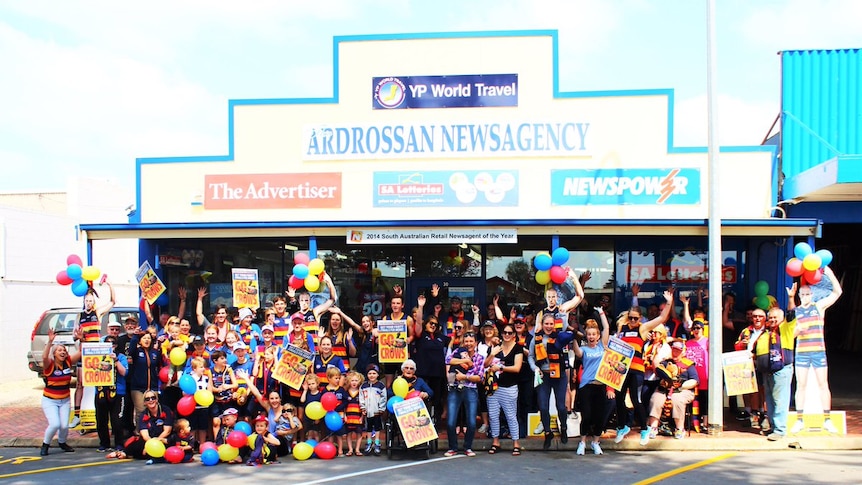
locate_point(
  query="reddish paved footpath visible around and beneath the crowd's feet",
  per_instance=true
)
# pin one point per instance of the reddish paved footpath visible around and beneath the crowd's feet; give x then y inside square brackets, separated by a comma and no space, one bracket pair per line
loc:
[22,424]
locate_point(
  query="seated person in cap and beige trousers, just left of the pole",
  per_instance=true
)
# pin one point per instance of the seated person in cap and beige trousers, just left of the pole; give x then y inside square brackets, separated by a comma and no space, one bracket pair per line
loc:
[677,386]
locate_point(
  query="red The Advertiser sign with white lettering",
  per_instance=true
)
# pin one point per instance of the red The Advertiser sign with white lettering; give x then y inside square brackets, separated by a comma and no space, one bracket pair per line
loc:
[273,191]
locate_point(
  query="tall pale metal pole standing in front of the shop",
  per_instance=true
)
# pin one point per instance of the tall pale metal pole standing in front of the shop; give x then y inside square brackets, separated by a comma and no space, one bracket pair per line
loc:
[716,394]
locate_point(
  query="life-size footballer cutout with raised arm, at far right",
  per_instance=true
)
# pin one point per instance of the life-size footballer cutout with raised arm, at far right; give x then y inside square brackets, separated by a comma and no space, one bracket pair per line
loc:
[811,349]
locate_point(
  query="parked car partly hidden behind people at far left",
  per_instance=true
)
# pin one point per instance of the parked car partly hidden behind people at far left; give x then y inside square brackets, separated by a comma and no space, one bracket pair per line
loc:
[63,321]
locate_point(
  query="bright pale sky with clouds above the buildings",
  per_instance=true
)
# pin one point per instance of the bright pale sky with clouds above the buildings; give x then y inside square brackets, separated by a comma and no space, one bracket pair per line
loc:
[86,87]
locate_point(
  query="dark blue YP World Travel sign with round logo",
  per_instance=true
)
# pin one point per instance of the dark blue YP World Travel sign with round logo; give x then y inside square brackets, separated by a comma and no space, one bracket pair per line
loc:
[462,91]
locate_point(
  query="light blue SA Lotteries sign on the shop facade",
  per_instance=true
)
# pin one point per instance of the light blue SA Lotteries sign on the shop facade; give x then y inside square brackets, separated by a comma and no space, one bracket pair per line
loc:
[465,188]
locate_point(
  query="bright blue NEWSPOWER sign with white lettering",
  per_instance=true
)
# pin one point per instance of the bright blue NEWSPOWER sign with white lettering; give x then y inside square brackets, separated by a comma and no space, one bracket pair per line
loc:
[659,186]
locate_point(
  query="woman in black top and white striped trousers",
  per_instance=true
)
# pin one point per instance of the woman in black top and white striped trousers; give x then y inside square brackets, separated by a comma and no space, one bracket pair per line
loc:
[506,359]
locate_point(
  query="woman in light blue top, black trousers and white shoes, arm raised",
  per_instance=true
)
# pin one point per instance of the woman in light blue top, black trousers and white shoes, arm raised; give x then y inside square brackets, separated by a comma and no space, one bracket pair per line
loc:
[593,396]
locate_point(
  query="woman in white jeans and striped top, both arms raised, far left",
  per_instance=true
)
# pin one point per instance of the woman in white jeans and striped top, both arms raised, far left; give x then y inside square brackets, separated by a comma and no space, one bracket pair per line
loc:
[57,368]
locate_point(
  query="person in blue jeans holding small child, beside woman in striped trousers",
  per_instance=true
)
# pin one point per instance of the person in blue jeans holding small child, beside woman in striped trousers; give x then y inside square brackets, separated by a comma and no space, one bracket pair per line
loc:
[466,394]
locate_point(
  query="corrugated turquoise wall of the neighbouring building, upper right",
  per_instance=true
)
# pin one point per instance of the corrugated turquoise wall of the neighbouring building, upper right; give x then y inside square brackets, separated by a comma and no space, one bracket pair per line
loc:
[821,106]
